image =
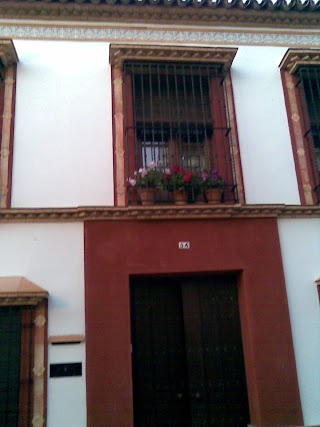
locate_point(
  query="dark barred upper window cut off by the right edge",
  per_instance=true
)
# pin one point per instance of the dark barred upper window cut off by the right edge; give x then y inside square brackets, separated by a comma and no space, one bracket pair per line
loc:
[309,91]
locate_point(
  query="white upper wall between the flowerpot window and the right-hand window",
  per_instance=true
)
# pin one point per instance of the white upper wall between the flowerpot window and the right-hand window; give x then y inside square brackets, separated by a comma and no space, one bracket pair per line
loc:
[265,146]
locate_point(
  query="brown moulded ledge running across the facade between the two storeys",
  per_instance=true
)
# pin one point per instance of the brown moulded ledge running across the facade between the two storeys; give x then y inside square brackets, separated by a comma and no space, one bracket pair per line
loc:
[152,213]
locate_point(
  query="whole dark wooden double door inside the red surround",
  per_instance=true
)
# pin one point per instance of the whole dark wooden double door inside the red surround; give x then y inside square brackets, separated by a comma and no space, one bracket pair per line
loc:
[187,356]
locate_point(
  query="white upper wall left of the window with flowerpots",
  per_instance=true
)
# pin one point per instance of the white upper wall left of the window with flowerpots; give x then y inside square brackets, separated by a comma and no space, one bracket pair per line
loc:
[63,125]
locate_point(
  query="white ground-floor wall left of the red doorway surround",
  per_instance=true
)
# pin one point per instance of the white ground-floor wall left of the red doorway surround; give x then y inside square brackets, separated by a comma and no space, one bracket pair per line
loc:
[51,255]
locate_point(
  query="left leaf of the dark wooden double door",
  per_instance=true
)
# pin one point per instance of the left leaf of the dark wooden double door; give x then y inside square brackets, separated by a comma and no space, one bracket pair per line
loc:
[159,370]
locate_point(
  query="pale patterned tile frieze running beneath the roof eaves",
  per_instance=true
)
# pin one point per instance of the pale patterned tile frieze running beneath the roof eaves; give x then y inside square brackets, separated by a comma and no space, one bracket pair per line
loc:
[139,34]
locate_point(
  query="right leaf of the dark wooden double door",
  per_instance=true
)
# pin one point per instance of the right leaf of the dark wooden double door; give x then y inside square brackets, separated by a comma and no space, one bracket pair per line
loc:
[224,396]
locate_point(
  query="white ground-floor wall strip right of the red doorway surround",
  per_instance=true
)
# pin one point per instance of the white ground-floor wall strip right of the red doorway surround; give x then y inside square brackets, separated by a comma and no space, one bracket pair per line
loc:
[299,239]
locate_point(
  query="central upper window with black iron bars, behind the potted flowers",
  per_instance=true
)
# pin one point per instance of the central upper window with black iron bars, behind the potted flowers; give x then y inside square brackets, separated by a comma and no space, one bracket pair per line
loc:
[176,114]
